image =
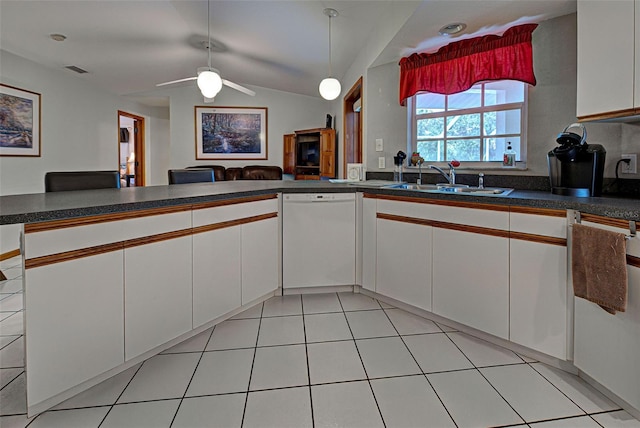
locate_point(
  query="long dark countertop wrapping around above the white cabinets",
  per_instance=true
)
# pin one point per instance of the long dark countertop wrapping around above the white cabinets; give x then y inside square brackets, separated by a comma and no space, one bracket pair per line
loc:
[31,208]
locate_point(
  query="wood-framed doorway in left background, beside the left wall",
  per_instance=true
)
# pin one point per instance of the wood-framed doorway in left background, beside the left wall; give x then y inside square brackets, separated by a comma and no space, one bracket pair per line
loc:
[131,149]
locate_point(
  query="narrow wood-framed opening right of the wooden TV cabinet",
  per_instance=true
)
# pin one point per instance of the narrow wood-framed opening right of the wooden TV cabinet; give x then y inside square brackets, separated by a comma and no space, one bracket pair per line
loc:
[352,108]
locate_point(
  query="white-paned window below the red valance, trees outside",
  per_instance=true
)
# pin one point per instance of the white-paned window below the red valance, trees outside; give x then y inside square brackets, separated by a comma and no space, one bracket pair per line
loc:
[471,126]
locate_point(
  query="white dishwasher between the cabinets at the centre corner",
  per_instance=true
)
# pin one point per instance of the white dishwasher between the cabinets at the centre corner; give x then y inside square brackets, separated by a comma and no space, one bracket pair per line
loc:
[318,239]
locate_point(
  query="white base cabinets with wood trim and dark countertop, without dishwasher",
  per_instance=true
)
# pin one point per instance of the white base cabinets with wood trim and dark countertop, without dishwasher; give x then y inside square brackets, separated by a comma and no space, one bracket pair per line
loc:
[223,240]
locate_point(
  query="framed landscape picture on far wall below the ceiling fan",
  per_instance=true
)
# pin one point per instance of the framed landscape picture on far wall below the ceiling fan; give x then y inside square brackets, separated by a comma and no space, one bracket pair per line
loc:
[231,133]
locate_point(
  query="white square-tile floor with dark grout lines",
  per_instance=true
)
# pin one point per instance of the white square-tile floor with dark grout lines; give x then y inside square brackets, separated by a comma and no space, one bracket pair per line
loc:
[323,360]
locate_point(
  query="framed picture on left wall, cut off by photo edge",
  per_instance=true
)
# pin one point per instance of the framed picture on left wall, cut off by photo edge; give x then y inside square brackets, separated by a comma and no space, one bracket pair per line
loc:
[19,122]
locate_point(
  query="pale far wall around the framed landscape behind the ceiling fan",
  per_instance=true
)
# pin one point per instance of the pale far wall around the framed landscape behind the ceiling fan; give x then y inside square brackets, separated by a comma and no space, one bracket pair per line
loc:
[286,113]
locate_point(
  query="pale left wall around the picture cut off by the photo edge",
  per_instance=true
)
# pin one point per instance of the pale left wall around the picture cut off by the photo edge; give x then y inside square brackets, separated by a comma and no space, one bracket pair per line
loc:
[79,125]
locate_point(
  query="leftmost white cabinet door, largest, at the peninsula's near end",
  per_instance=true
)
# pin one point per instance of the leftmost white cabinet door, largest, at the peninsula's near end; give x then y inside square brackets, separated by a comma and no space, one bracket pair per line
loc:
[75,319]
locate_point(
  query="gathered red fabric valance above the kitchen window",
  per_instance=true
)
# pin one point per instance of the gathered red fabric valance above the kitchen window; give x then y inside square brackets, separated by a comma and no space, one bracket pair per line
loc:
[459,65]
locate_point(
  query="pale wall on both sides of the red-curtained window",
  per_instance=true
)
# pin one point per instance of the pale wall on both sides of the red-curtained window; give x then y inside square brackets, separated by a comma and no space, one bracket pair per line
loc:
[552,105]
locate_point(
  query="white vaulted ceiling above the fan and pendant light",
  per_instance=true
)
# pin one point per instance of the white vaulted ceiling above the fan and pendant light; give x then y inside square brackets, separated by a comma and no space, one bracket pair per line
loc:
[129,46]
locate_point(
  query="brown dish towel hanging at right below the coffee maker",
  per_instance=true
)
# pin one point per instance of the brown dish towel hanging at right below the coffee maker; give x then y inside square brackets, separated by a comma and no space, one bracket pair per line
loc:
[599,267]
